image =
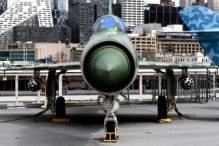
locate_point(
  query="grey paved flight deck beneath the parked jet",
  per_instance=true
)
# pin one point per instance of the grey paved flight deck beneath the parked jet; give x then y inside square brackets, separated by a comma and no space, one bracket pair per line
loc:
[136,121]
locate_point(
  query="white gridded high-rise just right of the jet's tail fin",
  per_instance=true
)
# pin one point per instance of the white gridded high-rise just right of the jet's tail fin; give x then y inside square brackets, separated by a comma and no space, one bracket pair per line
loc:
[132,12]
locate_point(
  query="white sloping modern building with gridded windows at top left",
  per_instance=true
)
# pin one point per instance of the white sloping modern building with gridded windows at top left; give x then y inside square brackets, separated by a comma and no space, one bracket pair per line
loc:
[25,13]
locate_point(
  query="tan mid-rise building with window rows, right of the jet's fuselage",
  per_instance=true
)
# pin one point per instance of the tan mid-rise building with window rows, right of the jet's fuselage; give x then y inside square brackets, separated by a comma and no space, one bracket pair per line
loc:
[148,41]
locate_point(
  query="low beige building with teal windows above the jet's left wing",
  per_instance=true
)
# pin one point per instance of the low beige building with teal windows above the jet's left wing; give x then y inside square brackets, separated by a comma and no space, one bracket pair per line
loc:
[29,51]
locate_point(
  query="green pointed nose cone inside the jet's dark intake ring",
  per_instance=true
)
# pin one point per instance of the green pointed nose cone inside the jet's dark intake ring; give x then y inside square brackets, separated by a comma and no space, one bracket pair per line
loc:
[109,66]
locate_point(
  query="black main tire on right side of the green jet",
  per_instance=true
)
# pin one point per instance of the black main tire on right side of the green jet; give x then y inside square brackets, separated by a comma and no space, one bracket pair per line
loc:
[162,107]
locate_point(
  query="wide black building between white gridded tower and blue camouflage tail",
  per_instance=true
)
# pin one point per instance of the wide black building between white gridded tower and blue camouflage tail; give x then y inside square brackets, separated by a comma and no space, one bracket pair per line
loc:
[164,14]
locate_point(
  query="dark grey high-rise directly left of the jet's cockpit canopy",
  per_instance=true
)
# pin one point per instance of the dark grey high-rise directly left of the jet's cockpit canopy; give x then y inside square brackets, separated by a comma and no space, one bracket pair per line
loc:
[82,16]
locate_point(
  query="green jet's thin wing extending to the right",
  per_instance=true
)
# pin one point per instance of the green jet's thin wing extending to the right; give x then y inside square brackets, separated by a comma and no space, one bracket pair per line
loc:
[167,65]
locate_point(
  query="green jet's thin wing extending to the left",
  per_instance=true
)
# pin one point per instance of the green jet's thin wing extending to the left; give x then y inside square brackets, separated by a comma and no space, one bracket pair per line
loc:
[61,66]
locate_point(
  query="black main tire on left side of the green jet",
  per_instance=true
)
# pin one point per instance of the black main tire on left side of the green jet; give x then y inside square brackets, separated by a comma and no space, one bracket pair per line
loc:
[60,107]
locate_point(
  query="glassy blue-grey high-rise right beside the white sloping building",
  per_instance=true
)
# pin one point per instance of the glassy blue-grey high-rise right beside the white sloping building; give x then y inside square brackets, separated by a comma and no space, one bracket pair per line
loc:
[59,12]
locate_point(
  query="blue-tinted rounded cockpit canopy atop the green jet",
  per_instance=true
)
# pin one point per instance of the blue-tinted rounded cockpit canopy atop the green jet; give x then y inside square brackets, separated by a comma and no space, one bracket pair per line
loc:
[110,23]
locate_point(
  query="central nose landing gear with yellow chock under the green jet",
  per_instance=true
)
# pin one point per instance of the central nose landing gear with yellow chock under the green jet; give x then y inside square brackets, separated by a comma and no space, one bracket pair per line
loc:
[111,128]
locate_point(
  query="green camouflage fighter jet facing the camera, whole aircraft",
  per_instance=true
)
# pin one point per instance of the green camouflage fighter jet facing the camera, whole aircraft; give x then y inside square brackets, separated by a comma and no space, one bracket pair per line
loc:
[109,64]
